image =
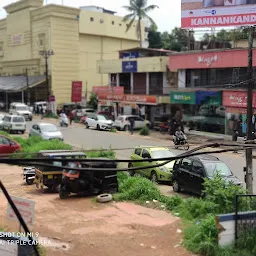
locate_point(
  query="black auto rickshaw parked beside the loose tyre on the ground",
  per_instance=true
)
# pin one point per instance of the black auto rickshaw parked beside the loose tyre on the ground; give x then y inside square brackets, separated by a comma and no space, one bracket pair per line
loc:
[89,182]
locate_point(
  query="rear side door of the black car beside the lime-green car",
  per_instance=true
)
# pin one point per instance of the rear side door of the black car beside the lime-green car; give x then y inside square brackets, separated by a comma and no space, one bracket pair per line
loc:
[184,173]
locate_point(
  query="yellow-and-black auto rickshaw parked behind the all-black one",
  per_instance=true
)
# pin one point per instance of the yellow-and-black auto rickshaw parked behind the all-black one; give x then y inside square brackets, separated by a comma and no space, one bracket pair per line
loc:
[51,177]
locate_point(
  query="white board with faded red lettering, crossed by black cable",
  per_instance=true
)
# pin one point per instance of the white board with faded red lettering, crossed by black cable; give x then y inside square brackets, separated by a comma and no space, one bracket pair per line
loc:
[26,208]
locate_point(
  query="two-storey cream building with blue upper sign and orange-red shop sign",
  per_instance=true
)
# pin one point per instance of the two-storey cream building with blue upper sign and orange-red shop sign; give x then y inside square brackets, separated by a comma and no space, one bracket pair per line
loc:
[145,80]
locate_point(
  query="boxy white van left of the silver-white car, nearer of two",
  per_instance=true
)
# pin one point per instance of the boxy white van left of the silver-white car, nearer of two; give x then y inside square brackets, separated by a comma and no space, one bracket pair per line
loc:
[14,123]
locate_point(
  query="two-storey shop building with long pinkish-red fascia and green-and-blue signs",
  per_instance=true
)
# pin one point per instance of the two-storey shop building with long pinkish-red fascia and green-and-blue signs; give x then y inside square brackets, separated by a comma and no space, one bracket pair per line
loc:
[211,88]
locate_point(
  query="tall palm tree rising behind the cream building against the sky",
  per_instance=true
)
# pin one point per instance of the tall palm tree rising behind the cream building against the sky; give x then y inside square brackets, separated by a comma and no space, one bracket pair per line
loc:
[138,11]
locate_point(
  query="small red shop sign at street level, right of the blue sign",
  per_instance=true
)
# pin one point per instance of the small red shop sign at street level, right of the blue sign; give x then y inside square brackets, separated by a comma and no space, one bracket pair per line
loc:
[237,99]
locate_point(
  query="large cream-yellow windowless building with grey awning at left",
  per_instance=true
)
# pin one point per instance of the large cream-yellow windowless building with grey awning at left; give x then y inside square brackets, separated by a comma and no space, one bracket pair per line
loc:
[78,38]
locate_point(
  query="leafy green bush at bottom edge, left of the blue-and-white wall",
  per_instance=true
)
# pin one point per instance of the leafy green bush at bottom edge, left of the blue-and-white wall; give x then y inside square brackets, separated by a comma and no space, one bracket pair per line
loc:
[201,237]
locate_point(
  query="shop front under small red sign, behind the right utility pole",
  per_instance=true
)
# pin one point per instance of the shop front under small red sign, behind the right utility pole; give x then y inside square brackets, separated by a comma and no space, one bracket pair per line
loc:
[235,103]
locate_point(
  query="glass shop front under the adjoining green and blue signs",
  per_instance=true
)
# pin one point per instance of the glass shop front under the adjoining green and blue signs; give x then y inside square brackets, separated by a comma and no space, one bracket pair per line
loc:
[199,110]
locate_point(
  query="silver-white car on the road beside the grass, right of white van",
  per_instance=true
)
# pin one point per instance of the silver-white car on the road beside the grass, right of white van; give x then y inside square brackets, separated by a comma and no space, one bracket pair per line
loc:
[46,131]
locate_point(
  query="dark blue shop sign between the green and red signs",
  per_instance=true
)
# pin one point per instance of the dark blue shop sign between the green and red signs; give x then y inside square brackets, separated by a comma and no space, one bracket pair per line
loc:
[209,98]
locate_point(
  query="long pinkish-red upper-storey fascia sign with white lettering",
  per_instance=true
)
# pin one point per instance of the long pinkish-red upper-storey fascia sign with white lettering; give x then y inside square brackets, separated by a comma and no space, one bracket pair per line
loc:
[215,59]
